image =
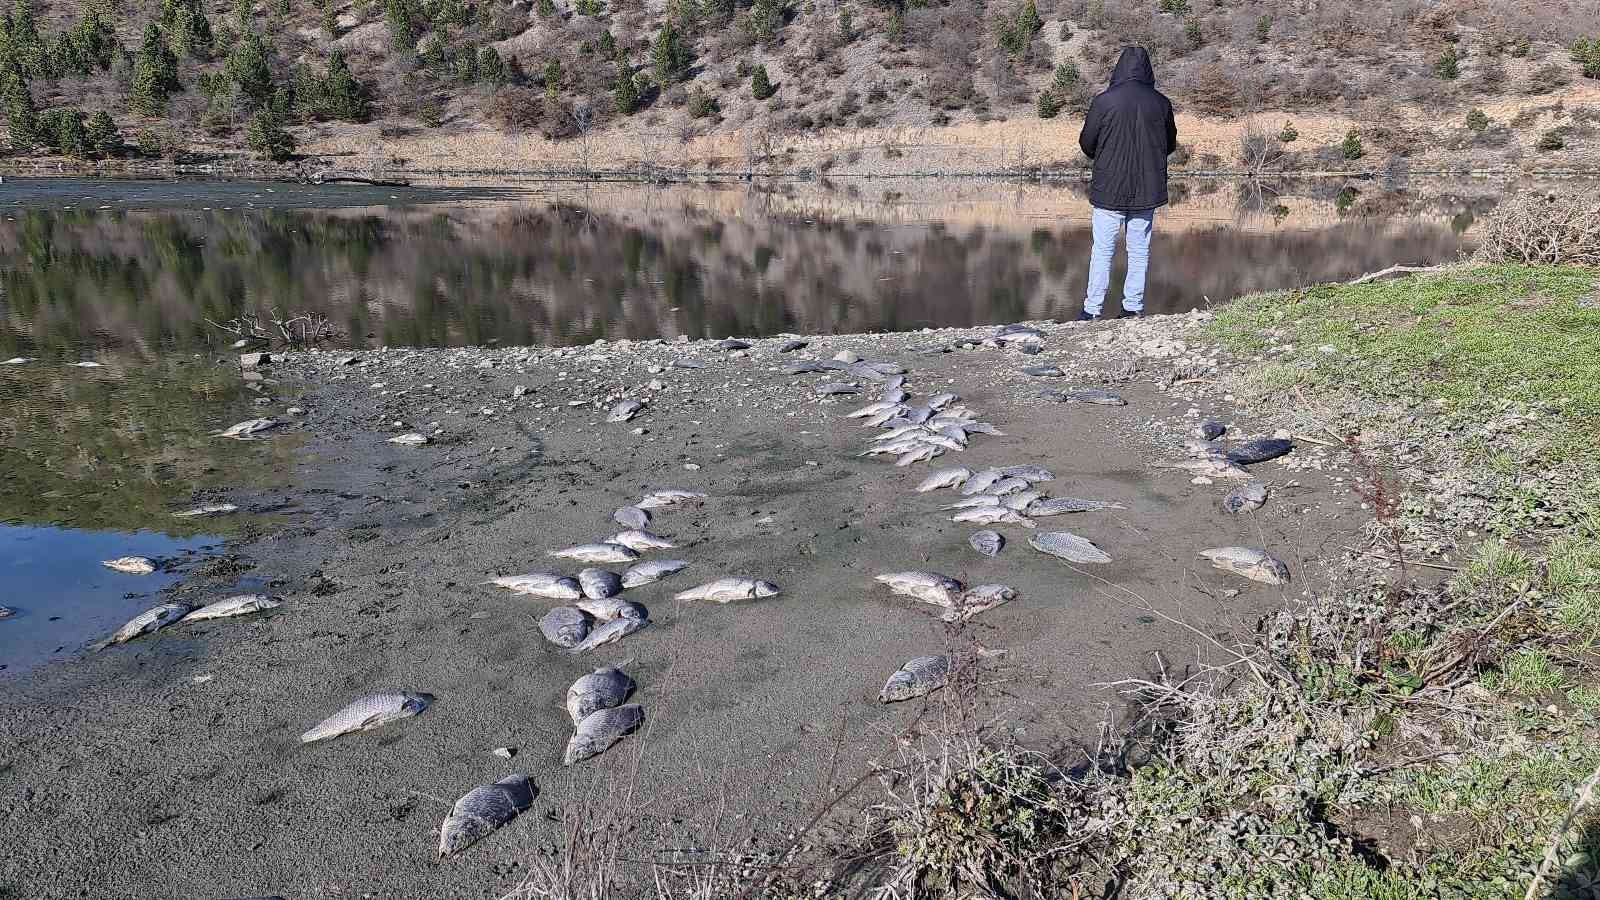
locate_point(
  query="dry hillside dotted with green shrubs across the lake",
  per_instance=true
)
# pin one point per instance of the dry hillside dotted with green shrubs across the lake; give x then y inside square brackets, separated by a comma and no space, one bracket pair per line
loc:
[788,86]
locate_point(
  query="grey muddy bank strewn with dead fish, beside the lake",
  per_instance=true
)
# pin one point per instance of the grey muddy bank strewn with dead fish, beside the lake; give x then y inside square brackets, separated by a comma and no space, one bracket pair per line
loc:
[172,768]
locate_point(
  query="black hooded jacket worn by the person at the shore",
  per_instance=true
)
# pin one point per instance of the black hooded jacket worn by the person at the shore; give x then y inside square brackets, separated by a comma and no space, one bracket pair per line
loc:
[1129,134]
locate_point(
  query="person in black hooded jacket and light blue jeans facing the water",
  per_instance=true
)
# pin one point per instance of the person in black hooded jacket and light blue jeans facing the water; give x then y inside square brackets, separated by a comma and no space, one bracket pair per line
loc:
[1129,134]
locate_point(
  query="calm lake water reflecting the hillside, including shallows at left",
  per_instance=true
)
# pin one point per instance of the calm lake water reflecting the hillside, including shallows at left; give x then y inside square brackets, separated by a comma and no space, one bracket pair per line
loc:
[146,279]
